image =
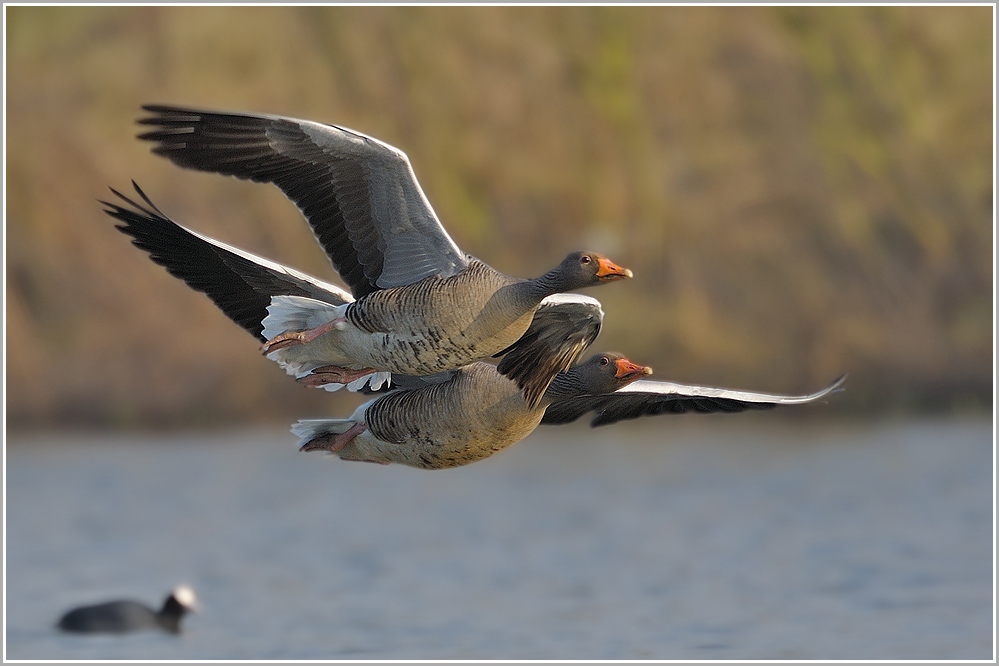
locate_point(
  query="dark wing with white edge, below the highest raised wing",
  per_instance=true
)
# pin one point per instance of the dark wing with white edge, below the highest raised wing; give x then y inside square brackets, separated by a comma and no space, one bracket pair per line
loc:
[241,284]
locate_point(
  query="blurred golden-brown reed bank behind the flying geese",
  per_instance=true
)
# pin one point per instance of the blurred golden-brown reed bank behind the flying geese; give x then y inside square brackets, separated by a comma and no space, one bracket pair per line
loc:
[800,191]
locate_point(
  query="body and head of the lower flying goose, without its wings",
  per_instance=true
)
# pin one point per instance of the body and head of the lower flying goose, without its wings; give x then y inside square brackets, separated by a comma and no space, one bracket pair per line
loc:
[456,417]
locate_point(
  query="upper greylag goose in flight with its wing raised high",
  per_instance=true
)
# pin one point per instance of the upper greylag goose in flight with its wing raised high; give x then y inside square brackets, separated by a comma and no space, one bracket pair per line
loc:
[423,306]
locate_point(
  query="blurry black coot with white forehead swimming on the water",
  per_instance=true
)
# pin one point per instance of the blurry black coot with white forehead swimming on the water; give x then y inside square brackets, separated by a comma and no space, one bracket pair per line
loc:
[126,616]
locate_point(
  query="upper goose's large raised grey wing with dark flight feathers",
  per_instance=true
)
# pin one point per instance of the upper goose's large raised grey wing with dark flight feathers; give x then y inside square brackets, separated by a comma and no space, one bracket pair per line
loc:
[359,195]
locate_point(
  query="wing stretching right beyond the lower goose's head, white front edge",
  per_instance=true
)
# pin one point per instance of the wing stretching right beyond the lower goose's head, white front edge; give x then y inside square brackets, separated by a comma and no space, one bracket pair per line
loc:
[649,398]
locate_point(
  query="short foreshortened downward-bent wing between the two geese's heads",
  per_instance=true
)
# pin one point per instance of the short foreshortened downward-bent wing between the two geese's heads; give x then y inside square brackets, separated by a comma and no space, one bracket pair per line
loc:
[564,325]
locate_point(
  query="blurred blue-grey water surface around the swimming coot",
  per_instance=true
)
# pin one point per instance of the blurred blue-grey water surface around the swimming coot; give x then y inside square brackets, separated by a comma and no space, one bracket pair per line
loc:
[682,538]
